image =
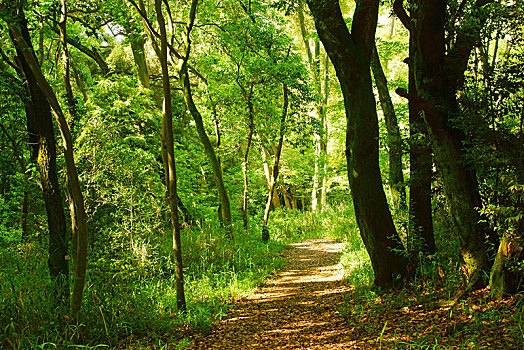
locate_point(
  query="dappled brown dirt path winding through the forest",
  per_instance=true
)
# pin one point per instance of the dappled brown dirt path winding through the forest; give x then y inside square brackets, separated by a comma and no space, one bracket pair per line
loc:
[296,310]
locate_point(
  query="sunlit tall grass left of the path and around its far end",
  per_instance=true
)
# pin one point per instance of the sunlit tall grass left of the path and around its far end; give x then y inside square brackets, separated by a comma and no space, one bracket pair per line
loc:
[130,292]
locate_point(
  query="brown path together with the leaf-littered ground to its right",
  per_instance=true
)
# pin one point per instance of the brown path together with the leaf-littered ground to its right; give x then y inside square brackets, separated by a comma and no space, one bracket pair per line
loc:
[307,305]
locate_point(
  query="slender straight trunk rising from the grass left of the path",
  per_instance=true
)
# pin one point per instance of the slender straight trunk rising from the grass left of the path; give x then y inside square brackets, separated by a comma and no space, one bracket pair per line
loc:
[169,153]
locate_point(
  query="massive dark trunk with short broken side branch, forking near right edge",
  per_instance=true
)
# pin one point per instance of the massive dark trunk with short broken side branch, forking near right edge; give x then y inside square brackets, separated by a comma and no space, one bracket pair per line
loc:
[437,74]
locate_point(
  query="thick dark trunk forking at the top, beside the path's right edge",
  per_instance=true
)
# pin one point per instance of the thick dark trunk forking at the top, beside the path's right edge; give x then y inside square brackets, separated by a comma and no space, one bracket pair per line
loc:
[350,55]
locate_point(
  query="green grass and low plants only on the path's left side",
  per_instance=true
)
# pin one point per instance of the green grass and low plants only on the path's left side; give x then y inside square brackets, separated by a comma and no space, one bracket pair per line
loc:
[133,294]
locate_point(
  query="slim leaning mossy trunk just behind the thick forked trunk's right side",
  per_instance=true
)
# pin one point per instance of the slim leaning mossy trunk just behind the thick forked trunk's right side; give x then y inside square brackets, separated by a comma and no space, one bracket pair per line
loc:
[396,176]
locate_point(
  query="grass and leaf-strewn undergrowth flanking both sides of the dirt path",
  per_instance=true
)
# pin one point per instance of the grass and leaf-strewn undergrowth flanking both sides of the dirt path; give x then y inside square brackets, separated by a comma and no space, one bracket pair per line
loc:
[129,301]
